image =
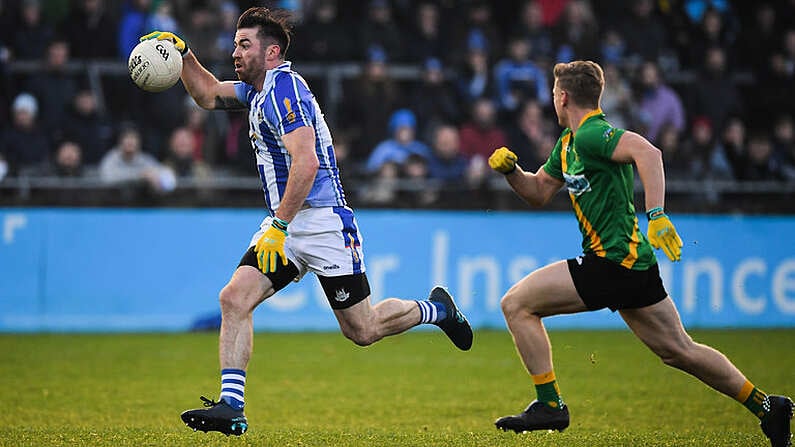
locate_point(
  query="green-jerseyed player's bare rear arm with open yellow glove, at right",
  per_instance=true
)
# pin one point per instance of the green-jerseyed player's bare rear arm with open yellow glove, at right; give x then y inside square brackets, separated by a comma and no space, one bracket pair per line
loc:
[633,148]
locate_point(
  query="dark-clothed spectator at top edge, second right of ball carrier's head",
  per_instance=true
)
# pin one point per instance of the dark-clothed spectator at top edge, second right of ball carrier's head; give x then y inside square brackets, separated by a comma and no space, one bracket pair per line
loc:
[379,29]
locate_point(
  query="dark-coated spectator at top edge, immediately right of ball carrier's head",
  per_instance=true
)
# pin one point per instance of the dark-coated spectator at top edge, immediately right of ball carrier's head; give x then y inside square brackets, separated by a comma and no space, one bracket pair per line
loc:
[319,36]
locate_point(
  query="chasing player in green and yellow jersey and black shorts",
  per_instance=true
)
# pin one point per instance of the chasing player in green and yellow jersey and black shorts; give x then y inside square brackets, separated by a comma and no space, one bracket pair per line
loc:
[618,269]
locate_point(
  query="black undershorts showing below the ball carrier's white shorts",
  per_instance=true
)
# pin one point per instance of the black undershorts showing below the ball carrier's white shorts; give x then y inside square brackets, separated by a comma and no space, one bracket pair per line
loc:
[342,292]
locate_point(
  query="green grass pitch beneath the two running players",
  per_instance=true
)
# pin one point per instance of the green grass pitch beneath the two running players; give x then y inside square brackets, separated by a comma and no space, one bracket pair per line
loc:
[413,390]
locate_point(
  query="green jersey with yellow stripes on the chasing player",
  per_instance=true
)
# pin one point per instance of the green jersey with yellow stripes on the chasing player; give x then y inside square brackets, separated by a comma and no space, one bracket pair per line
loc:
[601,192]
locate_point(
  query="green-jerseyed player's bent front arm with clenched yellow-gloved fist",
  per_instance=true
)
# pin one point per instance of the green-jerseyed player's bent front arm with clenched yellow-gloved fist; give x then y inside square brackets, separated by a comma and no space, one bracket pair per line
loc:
[536,189]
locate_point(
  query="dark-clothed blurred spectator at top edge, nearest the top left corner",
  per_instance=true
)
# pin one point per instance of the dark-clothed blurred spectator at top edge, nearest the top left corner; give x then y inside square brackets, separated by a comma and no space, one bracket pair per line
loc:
[32,33]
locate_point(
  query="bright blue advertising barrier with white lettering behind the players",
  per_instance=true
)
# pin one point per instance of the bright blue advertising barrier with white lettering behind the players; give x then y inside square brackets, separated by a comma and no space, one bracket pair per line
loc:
[161,270]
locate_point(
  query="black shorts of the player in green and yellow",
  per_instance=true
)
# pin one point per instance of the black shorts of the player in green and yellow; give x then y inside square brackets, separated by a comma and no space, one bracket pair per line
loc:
[603,283]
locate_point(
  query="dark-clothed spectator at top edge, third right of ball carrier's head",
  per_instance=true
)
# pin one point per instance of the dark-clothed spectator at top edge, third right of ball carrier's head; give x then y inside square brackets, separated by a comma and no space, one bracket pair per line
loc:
[427,39]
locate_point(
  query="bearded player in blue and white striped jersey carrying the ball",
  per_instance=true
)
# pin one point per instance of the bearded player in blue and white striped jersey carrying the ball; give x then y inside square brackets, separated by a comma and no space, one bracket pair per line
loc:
[309,227]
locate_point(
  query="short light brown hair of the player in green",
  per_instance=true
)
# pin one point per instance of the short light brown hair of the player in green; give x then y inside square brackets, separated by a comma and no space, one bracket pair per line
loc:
[582,80]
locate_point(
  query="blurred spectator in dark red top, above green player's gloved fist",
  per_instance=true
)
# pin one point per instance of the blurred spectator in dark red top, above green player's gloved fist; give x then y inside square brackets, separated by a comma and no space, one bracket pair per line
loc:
[481,135]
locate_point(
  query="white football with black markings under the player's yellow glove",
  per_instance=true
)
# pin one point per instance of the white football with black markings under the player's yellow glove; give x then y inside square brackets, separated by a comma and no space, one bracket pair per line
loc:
[155,65]
